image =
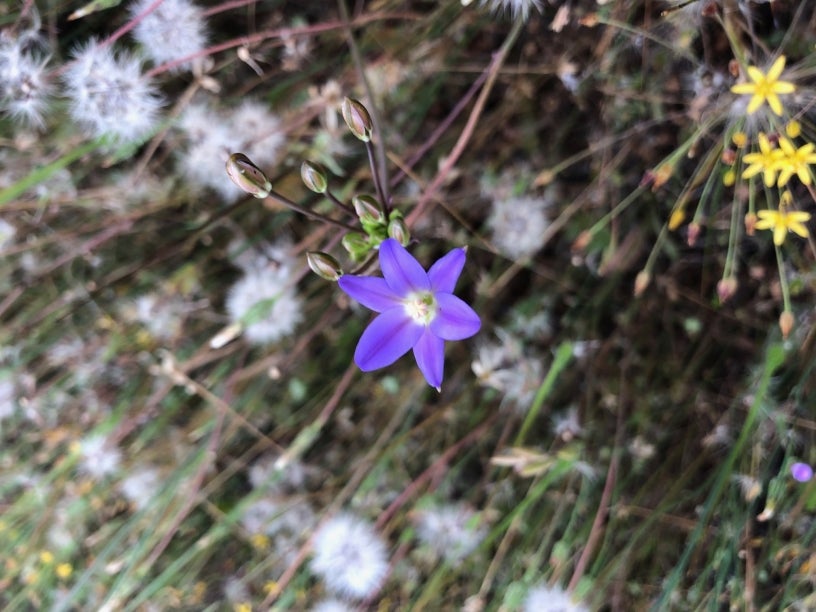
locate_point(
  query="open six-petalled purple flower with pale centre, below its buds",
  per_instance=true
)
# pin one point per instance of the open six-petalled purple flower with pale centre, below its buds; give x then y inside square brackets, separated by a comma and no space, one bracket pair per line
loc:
[417,311]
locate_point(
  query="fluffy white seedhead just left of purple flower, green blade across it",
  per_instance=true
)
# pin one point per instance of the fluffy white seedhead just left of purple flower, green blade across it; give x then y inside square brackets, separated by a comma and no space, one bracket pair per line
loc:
[266,303]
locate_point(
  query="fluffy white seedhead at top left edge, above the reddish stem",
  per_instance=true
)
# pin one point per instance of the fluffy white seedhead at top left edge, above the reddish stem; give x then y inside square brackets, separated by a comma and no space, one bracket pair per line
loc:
[173,30]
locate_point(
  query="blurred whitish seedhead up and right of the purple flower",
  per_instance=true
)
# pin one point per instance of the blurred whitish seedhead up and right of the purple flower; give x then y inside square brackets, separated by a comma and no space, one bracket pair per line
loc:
[518,225]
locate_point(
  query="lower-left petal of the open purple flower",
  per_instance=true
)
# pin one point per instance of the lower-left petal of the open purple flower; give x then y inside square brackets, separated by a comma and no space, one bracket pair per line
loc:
[387,338]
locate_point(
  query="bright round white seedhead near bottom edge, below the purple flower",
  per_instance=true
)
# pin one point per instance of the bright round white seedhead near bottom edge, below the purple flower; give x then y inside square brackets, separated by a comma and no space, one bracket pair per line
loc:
[349,556]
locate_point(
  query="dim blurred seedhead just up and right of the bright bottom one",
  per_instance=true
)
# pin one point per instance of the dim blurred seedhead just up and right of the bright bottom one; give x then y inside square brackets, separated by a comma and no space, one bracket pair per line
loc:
[451,531]
